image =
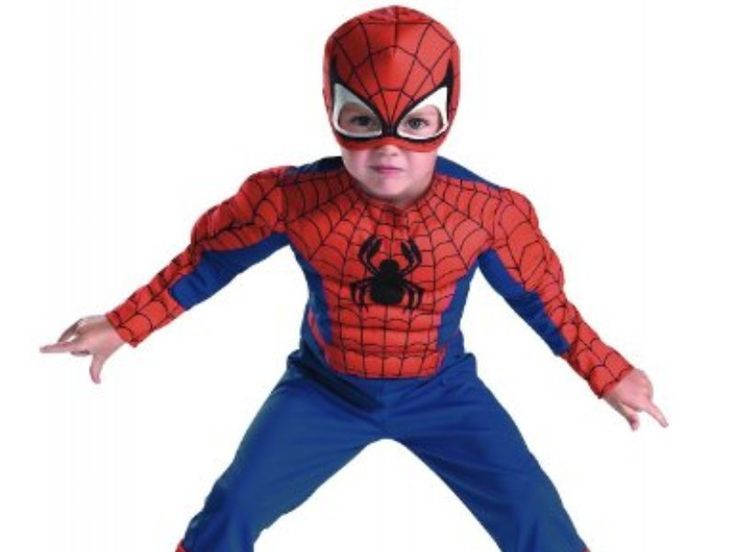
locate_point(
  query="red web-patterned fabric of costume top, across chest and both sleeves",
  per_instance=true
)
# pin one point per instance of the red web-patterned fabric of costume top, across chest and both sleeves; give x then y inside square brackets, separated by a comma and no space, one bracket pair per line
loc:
[344,237]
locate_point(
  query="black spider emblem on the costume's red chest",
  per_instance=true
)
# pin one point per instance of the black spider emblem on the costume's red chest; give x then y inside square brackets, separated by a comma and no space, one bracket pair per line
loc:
[387,284]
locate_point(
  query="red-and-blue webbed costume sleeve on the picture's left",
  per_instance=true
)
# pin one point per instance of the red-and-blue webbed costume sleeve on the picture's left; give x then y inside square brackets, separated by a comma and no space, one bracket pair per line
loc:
[225,240]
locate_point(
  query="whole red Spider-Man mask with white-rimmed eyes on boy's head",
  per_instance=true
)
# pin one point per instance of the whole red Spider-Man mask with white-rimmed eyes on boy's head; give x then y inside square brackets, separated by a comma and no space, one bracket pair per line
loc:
[391,76]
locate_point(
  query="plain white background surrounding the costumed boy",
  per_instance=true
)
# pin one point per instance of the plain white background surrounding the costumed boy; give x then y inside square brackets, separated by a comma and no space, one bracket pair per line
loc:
[121,122]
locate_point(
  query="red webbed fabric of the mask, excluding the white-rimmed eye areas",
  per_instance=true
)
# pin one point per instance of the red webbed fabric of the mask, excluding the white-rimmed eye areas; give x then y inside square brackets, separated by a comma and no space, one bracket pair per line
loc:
[391,58]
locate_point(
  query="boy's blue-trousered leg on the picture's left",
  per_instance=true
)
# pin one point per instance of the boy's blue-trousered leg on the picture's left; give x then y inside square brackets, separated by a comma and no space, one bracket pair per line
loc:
[300,437]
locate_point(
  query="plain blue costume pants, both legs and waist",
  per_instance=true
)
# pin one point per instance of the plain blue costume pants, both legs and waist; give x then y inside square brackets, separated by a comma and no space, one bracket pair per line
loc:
[315,421]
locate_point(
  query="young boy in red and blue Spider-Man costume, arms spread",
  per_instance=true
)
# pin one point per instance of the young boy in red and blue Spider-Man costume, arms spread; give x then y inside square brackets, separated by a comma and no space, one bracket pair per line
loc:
[389,236]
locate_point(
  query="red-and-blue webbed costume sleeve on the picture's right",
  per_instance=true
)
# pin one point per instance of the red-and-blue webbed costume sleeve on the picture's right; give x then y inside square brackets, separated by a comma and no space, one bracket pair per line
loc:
[524,268]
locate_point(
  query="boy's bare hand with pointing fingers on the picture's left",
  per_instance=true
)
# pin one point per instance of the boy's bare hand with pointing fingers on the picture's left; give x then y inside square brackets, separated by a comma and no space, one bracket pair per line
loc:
[95,336]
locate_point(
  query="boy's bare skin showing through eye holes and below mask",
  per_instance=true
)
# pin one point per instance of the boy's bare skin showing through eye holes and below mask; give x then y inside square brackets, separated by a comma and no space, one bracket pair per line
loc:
[390,172]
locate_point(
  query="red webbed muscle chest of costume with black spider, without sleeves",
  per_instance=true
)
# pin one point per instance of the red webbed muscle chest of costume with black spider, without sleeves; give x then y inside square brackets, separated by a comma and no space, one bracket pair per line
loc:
[383,276]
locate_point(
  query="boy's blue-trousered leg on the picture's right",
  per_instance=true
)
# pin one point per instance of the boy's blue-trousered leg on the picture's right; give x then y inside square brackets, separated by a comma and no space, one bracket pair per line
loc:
[465,436]
